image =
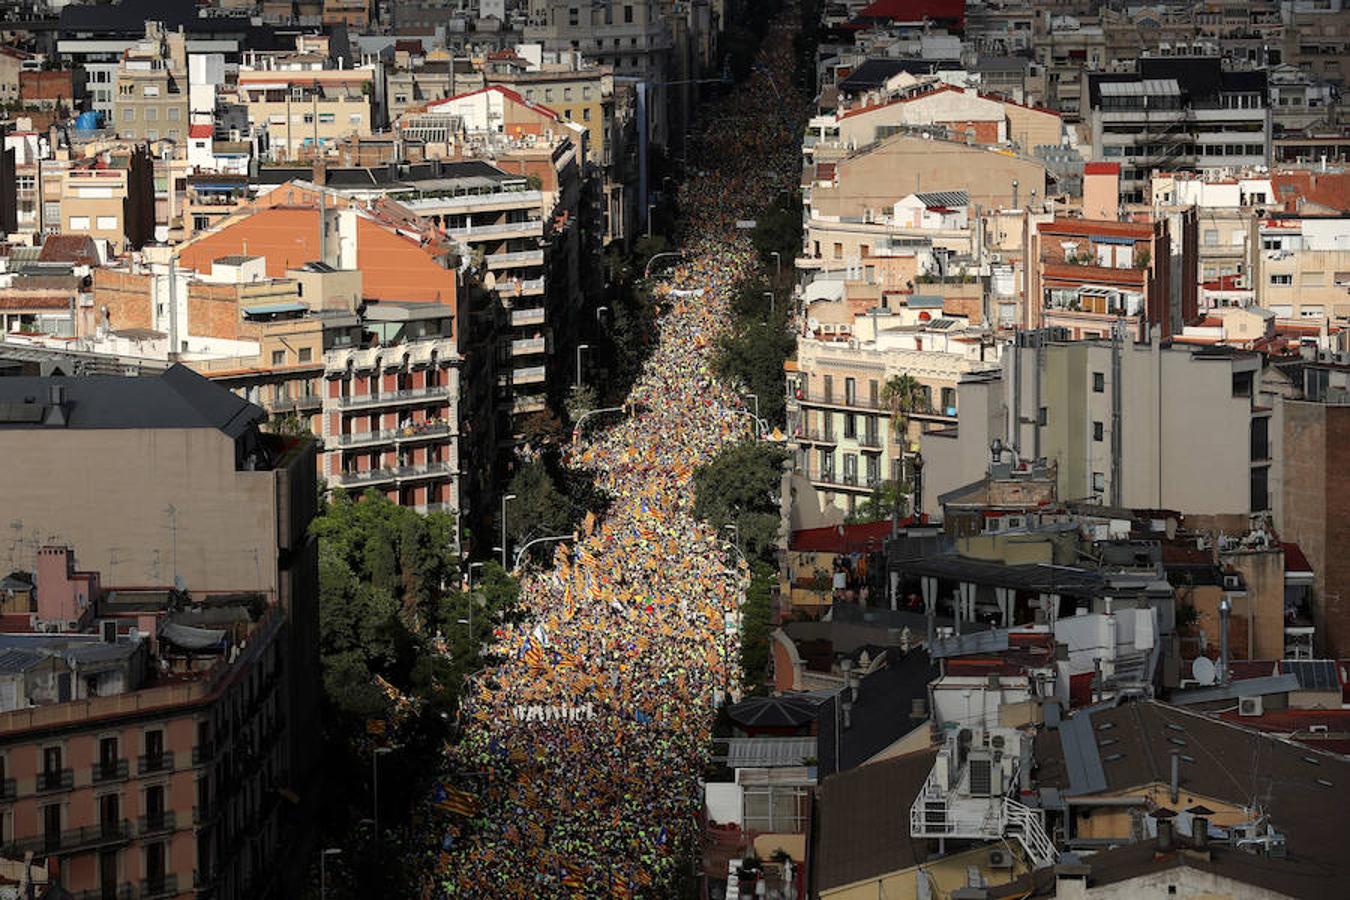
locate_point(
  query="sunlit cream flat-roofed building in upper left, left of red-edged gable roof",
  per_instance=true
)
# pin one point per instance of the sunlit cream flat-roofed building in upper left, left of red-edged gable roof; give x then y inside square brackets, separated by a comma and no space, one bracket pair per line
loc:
[308,111]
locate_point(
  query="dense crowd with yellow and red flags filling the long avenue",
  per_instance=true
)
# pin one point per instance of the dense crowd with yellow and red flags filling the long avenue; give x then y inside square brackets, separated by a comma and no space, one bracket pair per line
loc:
[584,750]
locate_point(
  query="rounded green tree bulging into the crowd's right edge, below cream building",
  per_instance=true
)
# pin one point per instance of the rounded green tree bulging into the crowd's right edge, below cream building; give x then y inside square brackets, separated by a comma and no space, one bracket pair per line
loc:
[743,486]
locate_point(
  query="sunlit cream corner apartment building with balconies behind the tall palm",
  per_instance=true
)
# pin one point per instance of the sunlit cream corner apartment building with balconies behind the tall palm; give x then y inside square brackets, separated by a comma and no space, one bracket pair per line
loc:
[838,416]
